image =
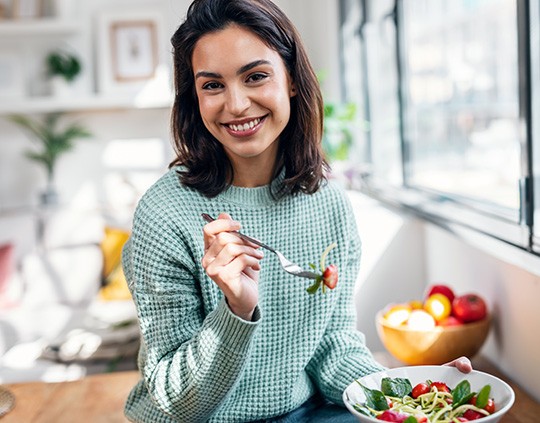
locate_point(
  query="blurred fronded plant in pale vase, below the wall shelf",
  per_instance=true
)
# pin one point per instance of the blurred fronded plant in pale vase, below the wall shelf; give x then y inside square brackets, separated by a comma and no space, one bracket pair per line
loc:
[53,142]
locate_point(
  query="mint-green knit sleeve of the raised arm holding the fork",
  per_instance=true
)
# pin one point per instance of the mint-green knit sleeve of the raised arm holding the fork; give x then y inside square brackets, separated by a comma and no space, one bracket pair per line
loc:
[190,358]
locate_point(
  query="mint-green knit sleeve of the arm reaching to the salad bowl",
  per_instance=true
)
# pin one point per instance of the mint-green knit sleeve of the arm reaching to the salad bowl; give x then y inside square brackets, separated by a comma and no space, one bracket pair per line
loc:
[342,355]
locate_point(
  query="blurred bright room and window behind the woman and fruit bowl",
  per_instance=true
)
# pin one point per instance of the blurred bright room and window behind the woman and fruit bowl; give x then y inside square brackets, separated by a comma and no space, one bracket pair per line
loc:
[431,123]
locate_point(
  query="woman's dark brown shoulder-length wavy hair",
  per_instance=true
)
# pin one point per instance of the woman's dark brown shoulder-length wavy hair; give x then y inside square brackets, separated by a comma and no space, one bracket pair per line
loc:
[206,166]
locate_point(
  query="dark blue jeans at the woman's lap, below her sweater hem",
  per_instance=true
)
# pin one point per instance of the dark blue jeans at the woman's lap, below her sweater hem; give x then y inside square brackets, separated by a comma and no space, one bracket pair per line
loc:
[316,410]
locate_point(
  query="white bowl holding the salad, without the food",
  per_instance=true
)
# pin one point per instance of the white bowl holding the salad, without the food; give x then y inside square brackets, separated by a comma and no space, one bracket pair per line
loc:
[501,392]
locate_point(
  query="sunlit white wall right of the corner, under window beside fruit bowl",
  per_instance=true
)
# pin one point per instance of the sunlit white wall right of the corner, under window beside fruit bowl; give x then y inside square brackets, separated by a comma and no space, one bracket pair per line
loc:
[511,291]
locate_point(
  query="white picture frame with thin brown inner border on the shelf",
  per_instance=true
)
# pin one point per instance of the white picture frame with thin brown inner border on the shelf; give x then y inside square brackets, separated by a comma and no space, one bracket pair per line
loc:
[131,54]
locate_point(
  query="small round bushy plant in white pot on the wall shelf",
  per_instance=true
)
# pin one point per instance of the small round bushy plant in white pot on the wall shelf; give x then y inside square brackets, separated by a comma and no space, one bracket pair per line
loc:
[63,67]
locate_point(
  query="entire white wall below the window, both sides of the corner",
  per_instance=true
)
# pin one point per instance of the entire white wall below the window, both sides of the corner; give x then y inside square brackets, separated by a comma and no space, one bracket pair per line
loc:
[402,255]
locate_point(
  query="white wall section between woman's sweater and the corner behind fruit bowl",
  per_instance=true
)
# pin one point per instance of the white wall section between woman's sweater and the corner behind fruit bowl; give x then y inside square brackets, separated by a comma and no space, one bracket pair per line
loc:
[392,267]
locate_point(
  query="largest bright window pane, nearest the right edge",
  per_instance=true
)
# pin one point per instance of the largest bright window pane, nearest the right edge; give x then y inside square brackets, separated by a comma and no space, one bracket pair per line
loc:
[461,98]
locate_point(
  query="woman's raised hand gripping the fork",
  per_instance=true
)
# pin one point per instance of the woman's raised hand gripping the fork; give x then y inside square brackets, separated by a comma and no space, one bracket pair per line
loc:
[232,264]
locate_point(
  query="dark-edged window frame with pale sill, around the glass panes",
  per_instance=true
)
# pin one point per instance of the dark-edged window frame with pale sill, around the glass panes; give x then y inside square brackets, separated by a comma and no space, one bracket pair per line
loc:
[447,210]
